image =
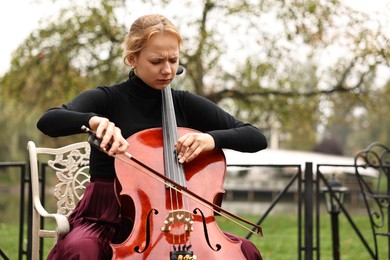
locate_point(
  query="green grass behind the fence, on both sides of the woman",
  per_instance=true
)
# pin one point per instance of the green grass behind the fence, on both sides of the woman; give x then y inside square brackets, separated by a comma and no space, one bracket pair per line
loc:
[279,241]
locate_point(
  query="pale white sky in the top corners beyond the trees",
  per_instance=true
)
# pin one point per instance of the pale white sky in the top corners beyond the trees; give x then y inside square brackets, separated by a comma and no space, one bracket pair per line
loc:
[20,17]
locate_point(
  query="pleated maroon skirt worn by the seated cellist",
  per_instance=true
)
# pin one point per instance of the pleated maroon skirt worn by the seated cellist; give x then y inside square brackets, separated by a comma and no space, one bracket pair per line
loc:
[96,222]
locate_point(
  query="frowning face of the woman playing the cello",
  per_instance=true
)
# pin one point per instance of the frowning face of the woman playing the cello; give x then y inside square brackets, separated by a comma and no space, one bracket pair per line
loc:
[158,62]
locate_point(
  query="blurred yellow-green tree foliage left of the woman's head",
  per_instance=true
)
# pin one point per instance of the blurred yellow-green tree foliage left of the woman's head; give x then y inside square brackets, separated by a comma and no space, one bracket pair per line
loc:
[76,50]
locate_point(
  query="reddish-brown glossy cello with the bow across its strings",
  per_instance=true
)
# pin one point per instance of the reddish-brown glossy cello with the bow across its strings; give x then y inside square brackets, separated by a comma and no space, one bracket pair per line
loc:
[170,220]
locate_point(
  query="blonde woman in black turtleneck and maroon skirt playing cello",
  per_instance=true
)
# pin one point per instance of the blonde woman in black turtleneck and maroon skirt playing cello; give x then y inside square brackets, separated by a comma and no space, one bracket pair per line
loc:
[114,113]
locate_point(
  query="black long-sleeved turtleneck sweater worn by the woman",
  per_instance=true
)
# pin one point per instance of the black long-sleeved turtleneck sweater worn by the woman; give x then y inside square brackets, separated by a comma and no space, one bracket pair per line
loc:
[133,106]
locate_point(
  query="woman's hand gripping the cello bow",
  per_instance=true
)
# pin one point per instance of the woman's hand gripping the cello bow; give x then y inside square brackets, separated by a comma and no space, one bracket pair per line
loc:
[110,135]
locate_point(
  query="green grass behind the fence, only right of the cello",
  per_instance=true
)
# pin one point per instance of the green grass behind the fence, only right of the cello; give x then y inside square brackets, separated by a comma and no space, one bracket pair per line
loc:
[280,240]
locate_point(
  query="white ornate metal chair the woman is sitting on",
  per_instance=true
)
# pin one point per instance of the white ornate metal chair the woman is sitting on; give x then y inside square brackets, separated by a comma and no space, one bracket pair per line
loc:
[71,166]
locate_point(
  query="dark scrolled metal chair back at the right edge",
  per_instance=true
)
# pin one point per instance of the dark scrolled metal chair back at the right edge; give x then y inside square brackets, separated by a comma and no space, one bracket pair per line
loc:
[376,195]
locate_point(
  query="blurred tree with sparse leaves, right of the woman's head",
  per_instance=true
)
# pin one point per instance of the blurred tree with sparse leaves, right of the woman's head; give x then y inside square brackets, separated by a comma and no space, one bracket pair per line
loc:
[288,70]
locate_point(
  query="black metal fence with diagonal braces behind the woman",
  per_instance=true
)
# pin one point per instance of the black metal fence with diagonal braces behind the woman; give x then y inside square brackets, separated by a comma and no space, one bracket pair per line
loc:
[308,183]
